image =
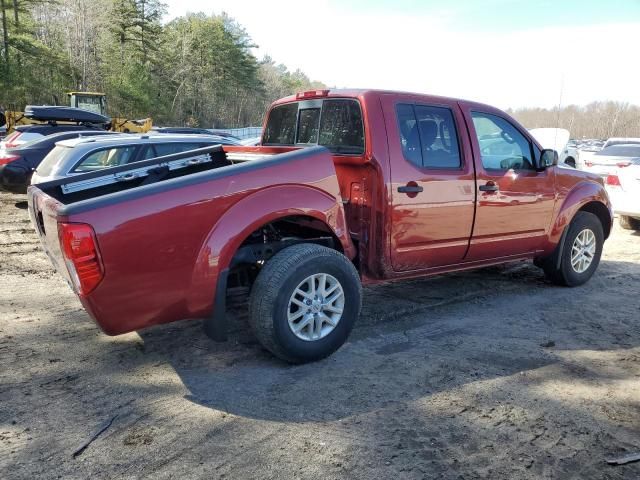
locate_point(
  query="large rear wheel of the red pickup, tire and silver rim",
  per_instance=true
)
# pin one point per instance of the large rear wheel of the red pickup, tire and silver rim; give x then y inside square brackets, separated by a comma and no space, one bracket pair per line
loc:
[305,302]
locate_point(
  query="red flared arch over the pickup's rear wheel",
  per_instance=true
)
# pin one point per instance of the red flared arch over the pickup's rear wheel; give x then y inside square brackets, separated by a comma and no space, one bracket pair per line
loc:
[249,214]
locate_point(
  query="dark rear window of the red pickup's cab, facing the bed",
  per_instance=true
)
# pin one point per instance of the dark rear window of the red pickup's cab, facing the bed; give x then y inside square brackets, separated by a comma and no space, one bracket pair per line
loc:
[335,124]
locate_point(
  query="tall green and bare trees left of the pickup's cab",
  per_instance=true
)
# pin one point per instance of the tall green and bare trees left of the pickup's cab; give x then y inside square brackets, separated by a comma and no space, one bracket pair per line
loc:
[196,70]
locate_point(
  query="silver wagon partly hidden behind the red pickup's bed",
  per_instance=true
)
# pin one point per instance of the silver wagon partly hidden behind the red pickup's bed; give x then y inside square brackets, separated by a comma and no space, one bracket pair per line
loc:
[82,155]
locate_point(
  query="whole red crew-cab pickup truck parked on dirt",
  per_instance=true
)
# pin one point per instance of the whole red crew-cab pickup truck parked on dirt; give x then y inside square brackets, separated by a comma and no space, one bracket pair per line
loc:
[347,187]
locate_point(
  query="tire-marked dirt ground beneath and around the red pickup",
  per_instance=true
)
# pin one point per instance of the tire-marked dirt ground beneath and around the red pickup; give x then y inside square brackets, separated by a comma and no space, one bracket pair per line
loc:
[489,374]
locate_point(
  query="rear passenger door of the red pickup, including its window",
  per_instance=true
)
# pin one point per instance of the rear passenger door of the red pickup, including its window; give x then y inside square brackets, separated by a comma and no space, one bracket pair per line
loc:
[432,182]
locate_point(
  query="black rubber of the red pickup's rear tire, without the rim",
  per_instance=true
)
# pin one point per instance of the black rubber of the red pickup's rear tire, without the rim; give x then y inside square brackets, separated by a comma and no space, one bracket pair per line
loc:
[273,288]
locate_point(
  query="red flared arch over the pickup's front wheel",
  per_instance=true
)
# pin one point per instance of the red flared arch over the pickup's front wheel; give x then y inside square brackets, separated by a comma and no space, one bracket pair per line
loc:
[579,196]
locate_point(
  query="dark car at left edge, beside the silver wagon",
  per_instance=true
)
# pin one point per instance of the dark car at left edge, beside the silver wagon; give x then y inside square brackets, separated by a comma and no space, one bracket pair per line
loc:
[17,164]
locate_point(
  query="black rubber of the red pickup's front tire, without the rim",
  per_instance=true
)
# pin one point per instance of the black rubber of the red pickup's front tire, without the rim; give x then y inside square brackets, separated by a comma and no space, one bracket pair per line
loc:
[561,272]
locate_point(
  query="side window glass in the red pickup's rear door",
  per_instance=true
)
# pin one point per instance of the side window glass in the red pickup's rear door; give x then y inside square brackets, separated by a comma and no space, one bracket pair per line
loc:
[428,136]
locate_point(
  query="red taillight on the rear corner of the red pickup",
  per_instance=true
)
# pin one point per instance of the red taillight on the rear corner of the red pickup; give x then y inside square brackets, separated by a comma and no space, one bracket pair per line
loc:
[81,255]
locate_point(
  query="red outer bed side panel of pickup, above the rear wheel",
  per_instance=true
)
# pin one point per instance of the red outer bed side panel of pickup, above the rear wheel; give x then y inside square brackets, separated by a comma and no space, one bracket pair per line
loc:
[162,252]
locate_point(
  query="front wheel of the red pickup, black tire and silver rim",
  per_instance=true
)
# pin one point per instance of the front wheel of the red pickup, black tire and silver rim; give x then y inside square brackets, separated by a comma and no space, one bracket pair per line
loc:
[579,254]
